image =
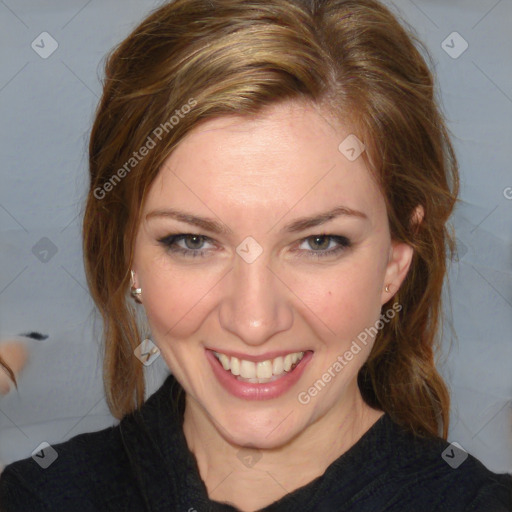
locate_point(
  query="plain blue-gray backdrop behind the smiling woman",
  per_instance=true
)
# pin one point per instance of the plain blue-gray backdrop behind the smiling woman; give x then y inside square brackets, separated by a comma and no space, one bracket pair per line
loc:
[46,108]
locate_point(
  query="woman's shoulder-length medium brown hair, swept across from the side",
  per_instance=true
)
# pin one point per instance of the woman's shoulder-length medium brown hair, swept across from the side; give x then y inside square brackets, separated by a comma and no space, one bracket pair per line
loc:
[352,57]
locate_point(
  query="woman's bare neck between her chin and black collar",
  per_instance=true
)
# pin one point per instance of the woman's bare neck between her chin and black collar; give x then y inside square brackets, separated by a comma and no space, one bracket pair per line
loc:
[251,479]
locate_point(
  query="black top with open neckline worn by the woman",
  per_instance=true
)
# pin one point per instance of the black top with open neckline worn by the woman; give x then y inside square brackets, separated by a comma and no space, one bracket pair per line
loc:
[144,464]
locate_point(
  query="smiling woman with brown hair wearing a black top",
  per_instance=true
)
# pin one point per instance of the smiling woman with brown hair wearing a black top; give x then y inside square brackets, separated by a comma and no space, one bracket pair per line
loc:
[270,183]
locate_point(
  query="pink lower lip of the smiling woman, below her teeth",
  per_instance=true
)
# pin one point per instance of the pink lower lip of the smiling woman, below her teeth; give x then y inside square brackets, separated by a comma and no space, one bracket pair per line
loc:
[249,391]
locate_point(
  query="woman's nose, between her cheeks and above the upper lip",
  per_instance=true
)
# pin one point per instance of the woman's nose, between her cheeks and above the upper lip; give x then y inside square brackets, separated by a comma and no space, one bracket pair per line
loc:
[255,305]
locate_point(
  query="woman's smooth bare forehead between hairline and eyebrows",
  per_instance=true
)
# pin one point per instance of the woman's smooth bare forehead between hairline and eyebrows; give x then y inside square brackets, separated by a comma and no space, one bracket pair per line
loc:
[286,157]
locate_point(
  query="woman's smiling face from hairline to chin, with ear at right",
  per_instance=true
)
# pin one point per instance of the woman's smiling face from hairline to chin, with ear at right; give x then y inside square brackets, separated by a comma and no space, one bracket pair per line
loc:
[265,245]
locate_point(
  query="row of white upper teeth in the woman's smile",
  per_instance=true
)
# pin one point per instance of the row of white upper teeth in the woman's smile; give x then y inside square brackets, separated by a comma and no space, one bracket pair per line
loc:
[262,369]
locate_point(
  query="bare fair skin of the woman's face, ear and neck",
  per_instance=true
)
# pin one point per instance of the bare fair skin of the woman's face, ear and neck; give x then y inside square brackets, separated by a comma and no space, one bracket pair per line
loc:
[255,175]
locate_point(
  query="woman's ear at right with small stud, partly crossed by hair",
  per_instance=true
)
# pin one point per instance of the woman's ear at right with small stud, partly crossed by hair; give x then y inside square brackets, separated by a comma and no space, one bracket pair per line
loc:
[399,261]
